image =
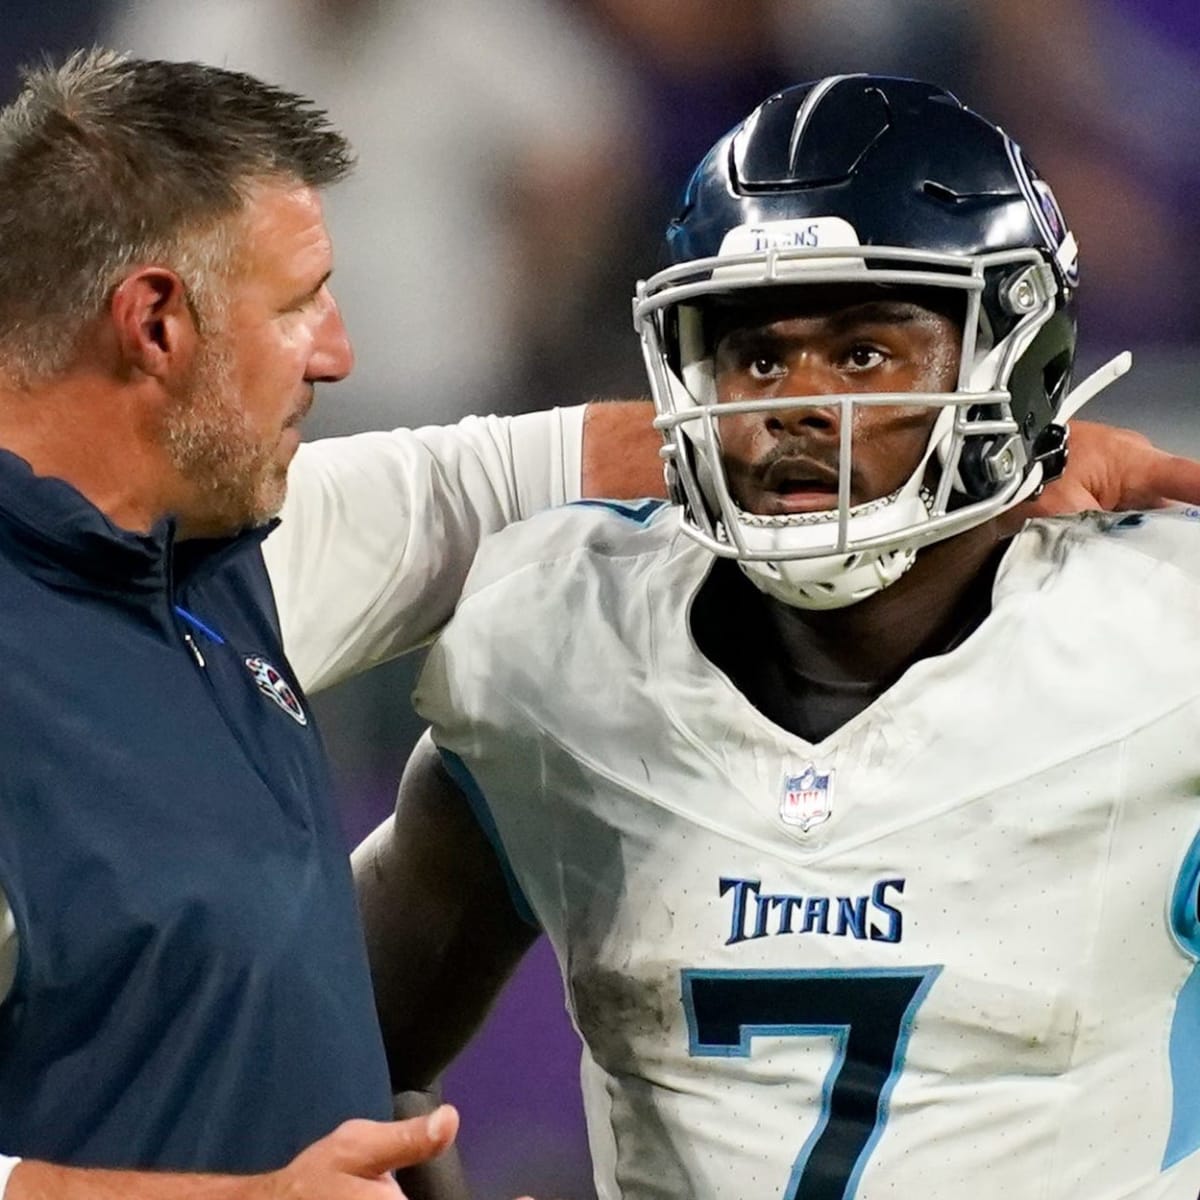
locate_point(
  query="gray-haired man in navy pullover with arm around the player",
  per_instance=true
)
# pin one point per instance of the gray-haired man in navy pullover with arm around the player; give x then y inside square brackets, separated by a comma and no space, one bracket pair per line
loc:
[183,973]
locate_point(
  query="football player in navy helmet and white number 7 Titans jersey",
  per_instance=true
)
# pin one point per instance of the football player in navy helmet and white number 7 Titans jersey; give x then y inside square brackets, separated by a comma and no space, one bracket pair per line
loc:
[867,833]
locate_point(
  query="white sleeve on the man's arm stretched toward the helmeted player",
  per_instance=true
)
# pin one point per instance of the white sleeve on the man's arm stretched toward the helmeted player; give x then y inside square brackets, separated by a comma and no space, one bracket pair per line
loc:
[380,530]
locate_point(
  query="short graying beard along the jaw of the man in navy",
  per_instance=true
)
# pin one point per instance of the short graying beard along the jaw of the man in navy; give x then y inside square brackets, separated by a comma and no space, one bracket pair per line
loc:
[235,478]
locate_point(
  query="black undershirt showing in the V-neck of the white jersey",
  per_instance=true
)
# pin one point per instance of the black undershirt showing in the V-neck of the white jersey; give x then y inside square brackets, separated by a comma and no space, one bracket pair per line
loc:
[735,629]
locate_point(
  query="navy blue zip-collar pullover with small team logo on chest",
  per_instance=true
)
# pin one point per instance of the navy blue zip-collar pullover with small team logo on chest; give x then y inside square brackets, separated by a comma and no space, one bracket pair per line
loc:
[193,989]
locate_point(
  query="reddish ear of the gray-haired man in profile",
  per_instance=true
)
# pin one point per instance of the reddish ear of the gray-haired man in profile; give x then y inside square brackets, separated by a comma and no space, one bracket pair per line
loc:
[153,322]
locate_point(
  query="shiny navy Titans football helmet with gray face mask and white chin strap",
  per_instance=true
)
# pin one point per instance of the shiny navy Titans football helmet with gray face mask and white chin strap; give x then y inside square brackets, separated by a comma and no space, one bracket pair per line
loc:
[871,181]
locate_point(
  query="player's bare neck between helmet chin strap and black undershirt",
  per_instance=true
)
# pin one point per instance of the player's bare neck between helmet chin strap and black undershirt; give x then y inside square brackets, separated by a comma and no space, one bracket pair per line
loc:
[934,607]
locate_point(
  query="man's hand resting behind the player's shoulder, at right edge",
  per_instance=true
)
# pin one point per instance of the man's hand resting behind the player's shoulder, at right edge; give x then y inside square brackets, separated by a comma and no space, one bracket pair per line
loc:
[1113,470]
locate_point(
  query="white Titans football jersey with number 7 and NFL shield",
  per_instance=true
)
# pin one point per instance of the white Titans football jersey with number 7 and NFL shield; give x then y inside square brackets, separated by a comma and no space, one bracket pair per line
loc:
[947,952]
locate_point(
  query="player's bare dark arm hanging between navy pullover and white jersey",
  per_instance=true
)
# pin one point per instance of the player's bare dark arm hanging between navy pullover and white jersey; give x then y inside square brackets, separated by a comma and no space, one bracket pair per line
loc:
[443,934]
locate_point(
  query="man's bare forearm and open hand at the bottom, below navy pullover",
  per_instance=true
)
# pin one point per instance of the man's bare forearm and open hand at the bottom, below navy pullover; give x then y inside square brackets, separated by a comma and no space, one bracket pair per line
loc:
[350,1165]
